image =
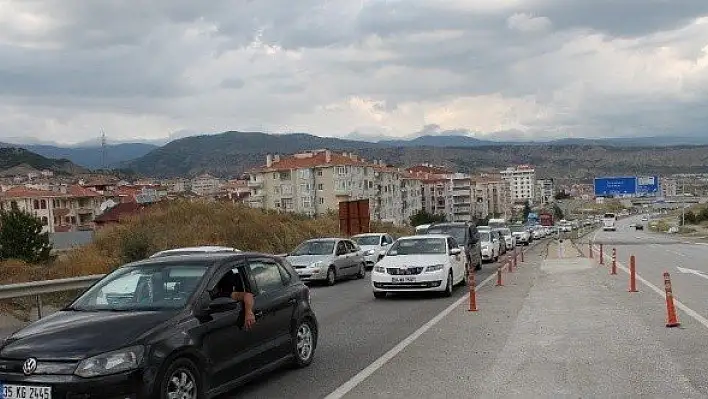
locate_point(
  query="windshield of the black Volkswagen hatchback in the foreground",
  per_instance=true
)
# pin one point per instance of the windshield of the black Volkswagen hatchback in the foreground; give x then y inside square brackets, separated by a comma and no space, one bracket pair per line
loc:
[141,288]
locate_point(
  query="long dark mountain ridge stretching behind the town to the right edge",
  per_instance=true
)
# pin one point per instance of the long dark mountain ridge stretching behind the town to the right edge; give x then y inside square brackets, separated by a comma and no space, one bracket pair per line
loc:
[232,153]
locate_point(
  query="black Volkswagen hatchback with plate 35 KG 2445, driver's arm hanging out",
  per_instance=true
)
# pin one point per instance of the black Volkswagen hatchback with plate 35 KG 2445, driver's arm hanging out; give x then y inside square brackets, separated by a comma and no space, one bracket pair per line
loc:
[159,328]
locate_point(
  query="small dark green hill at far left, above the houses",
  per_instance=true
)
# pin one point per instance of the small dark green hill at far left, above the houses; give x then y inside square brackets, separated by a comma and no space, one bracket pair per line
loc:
[15,160]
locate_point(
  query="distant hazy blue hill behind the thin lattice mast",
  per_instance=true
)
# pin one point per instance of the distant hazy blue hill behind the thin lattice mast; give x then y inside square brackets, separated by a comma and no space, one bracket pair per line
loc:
[90,156]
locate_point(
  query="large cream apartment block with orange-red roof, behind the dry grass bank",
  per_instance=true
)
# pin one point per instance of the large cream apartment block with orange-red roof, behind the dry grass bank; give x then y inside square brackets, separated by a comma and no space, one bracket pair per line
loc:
[314,182]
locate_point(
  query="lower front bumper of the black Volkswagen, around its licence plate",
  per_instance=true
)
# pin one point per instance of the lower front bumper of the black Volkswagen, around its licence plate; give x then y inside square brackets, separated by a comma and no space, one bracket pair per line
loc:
[119,386]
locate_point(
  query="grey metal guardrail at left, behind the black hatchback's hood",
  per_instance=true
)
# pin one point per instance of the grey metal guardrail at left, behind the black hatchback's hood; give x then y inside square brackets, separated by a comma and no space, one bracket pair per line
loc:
[38,288]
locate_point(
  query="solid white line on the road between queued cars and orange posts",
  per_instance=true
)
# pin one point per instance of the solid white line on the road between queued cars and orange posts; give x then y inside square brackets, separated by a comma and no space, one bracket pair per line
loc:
[386,357]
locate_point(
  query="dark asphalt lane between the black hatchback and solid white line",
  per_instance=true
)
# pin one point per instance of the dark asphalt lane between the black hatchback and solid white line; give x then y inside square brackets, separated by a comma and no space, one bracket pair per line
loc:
[356,329]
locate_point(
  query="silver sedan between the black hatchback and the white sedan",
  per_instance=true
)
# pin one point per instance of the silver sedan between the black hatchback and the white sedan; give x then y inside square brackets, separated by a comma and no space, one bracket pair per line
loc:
[328,260]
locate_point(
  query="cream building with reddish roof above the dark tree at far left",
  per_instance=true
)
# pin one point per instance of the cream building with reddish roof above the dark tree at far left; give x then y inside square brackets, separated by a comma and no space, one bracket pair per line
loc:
[67,208]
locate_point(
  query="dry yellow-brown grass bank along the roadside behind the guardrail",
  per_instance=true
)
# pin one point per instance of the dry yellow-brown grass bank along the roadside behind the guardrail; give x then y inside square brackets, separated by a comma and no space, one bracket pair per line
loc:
[183,223]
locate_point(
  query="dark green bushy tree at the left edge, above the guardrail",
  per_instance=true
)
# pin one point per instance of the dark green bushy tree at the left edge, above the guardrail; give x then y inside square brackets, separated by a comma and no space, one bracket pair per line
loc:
[21,237]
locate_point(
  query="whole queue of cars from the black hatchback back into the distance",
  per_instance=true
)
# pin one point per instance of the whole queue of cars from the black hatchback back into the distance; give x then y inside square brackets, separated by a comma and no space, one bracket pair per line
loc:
[168,326]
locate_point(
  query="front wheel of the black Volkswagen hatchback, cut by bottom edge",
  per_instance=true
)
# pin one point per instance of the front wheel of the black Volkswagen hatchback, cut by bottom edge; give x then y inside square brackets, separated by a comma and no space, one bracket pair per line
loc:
[179,377]
